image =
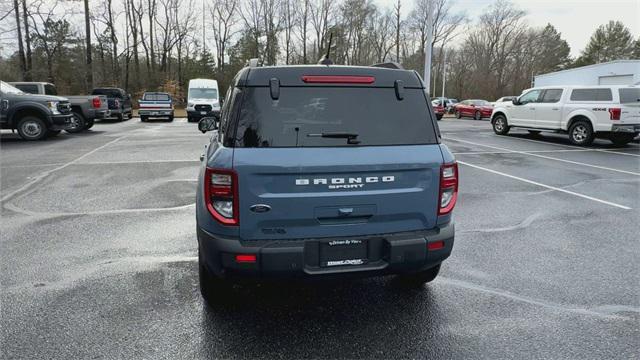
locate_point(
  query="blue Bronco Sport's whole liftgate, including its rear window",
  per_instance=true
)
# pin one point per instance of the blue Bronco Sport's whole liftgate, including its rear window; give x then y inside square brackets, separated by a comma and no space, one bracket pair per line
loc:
[324,162]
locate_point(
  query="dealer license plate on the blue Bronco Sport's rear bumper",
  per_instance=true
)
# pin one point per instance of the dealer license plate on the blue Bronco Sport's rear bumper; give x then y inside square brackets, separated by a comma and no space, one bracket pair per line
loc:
[343,252]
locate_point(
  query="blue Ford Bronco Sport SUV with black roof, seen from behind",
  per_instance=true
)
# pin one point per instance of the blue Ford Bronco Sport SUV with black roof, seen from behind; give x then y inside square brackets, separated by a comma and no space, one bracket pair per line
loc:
[317,171]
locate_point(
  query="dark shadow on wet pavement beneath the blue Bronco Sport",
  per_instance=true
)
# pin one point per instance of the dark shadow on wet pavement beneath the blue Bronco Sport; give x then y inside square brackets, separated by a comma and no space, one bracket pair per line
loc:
[347,319]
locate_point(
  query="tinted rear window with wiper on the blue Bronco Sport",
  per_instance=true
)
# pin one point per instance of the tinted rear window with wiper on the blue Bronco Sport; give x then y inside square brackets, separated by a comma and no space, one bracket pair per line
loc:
[302,115]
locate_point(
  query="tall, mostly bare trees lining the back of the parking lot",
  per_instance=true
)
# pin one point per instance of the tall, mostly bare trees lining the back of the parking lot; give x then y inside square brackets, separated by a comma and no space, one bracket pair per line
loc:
[160,44]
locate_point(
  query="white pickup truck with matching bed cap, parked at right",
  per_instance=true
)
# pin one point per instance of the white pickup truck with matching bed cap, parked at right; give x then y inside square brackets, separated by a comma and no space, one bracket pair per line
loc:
[583,112]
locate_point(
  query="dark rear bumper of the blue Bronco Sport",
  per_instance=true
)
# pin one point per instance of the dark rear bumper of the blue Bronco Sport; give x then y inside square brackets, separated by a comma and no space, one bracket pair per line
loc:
[386,254]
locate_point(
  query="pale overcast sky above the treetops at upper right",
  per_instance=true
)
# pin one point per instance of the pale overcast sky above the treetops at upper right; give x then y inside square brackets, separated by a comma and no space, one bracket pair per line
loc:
[575,19]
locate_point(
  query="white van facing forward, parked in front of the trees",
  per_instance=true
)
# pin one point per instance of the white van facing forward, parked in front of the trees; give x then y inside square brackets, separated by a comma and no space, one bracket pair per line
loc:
[202,99]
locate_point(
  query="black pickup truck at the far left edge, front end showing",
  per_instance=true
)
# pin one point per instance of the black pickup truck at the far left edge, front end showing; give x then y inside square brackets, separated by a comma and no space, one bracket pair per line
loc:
[34,116]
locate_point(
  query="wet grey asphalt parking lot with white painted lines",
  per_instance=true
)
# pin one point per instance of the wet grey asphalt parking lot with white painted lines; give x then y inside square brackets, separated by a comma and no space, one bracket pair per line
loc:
[99,258]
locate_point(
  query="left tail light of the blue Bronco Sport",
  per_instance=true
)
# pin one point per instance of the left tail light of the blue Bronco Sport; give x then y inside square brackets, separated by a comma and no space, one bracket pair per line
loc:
[221,195]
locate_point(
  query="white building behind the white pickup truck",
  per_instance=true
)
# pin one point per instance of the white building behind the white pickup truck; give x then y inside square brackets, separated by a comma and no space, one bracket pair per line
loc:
[619,72]
